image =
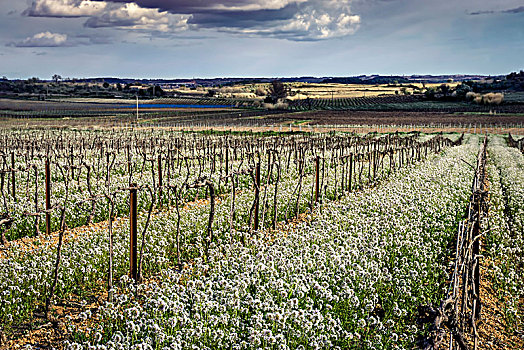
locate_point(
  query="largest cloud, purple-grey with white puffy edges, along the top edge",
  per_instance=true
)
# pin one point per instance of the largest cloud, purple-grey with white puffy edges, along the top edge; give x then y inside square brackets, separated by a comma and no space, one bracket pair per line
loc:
[285,19]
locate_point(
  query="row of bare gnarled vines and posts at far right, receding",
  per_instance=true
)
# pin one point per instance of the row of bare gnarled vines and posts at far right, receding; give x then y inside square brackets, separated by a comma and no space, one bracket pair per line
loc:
[459,312]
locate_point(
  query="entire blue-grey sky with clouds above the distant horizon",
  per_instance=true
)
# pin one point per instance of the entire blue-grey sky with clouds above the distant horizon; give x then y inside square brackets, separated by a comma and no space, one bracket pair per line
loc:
[255,38]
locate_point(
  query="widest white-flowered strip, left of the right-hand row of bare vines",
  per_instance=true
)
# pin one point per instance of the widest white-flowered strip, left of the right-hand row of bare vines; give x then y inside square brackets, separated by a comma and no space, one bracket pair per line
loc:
[352,277]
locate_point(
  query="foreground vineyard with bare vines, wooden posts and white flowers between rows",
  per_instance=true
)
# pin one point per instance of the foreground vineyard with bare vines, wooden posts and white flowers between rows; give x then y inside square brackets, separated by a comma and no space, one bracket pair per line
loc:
[156,238]
